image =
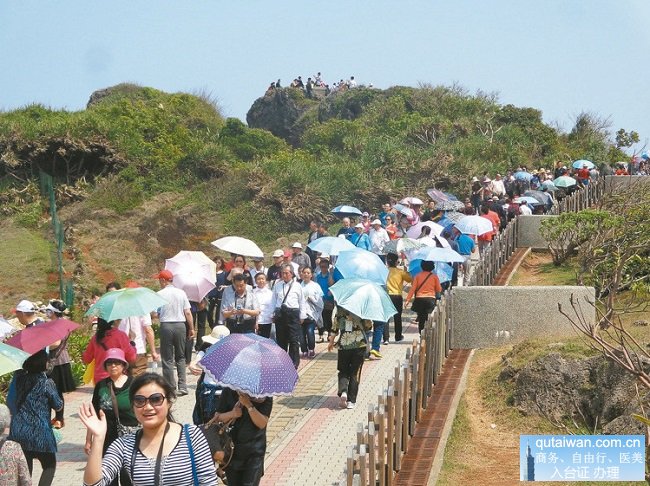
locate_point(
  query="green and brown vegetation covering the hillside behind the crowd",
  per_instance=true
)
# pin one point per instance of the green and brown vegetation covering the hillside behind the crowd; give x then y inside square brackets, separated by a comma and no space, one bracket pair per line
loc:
[141,173]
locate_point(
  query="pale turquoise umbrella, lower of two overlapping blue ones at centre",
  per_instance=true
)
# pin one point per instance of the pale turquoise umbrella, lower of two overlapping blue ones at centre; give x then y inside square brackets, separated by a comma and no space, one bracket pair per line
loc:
[364,299]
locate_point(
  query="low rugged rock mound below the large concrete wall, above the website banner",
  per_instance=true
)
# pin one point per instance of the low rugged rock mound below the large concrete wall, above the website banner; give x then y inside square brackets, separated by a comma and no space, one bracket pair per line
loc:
[594,392]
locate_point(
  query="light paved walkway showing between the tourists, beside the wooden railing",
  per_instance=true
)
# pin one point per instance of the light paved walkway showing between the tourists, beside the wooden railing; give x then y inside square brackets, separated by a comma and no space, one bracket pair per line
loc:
[308,433]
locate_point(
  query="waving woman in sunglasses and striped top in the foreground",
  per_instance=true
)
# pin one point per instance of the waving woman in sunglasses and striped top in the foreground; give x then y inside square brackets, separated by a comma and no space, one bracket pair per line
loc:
[163,452]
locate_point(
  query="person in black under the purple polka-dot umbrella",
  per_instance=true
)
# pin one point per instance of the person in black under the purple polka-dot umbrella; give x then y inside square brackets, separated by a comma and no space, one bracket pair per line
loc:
[251,416]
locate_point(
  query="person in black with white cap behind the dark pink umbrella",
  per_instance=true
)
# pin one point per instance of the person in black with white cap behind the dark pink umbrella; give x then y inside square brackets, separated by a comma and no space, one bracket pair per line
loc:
[59,360]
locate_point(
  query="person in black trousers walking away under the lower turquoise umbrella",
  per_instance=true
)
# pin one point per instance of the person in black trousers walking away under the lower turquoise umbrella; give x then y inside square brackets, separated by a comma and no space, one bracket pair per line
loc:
[352,346]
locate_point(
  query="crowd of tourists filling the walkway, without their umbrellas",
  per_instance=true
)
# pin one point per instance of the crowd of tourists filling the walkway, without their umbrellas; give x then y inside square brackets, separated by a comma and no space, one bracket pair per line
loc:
[132,437]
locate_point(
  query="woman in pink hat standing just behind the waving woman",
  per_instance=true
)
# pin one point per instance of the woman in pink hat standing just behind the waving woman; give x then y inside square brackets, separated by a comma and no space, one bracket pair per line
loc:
[111,396]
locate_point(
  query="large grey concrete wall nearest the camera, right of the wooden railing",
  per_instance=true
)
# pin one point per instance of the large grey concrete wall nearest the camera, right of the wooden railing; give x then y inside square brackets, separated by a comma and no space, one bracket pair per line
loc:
[494,316]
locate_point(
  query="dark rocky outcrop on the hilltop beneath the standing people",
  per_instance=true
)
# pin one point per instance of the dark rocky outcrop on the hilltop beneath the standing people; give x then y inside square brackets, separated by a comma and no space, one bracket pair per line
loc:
[283,112]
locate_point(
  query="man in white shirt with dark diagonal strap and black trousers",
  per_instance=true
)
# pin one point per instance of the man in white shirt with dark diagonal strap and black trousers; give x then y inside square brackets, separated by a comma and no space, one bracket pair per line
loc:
[289,310]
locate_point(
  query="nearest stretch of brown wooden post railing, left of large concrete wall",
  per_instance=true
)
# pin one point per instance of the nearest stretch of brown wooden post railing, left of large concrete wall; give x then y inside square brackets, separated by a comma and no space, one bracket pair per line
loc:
[383,439]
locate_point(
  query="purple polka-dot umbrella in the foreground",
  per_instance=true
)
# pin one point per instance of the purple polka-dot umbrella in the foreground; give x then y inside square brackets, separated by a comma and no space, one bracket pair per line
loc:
[250,364]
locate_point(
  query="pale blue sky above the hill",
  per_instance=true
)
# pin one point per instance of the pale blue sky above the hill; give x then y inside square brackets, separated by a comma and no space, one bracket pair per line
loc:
[562,57]
